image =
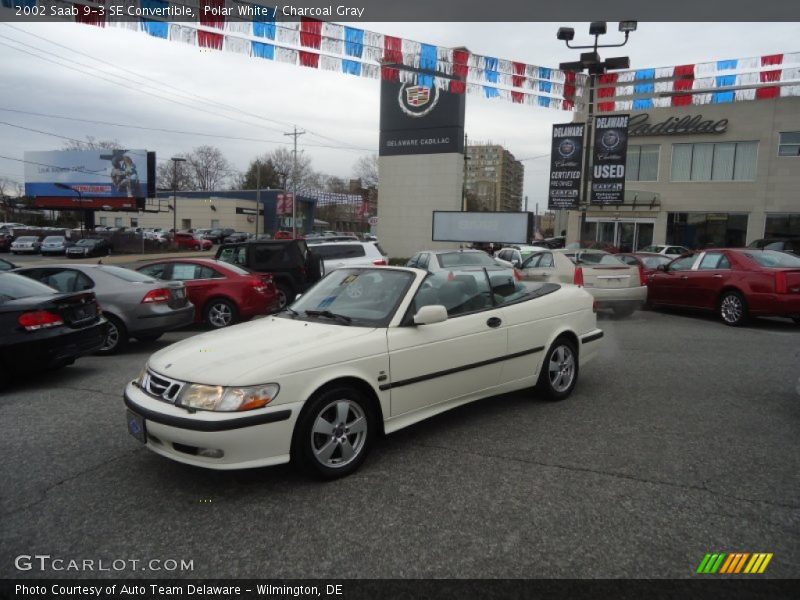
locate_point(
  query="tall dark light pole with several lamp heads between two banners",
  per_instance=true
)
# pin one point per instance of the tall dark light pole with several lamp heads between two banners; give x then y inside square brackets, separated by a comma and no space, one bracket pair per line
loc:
[590,62]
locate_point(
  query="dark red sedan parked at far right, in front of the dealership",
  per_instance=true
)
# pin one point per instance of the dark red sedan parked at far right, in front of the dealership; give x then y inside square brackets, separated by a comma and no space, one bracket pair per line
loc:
[737,283]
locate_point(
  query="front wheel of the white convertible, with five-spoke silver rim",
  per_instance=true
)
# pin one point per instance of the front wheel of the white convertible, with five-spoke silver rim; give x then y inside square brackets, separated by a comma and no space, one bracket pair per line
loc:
[333,433]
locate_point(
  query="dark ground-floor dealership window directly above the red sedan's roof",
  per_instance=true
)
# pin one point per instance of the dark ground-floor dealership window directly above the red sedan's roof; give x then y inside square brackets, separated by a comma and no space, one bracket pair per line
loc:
[707,230]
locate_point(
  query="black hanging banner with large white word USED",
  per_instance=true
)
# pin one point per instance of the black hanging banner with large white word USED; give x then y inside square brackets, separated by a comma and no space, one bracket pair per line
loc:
[610,155]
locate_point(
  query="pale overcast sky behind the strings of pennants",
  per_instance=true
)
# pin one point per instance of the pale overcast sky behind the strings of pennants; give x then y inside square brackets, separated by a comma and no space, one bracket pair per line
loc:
[261,100]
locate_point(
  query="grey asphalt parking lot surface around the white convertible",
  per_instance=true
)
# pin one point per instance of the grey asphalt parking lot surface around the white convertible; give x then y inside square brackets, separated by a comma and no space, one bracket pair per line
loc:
[680,440]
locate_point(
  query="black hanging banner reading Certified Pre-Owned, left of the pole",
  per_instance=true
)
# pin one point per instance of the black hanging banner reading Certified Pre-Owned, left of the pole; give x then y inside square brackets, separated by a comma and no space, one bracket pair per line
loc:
[565,167]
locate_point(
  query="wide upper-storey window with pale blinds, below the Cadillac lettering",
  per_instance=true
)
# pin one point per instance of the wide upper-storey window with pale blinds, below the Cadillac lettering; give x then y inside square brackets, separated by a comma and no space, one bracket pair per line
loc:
[724,161]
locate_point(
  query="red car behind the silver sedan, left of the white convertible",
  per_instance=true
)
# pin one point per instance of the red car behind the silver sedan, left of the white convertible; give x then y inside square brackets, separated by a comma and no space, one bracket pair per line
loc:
[222,293]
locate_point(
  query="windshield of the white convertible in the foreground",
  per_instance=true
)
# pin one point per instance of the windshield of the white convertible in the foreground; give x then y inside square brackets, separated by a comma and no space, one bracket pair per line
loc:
[368,297]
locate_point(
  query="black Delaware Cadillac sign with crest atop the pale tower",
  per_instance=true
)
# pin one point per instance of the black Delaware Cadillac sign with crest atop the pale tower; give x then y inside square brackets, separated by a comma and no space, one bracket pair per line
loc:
[416,119]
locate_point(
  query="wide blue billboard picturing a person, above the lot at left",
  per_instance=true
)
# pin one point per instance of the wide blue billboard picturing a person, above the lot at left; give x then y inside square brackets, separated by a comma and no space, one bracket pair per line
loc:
[97,173]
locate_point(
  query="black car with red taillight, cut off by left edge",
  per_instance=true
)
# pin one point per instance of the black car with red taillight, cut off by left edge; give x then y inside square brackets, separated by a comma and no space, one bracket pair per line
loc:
[43,329]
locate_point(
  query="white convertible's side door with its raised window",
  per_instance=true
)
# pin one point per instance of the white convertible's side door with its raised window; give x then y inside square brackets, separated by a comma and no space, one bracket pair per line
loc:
[441,362]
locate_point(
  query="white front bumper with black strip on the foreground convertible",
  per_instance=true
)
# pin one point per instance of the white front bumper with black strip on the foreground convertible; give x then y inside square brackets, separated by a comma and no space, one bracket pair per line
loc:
[256,438]
